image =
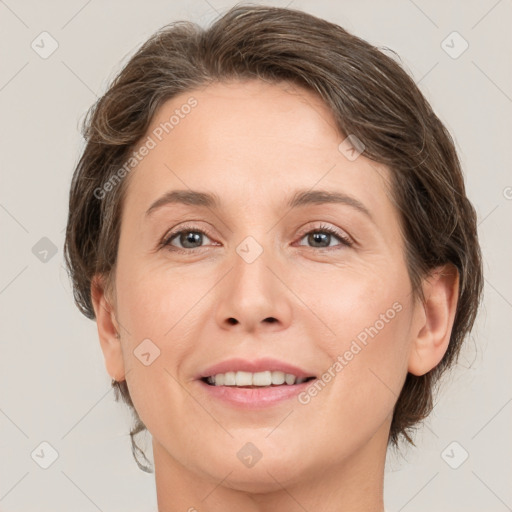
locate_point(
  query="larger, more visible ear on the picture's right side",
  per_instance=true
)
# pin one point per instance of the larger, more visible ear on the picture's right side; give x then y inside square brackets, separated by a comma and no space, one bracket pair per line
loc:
[433,328]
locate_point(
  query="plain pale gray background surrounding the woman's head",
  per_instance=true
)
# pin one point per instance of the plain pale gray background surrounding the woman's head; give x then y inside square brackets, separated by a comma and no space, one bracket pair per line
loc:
[53,384]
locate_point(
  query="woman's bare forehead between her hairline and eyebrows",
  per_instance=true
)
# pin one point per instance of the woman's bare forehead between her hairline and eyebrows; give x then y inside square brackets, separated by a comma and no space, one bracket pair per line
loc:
[250,143]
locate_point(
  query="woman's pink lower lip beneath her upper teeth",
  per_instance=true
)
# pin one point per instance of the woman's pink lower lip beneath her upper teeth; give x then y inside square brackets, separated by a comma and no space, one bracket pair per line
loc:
[254,398]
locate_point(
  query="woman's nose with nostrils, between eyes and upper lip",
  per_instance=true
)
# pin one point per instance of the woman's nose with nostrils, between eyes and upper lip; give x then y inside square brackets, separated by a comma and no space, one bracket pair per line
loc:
[254,295]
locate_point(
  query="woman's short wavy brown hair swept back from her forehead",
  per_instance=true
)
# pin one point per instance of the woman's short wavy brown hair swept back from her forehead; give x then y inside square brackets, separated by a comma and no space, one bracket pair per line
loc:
[371,97]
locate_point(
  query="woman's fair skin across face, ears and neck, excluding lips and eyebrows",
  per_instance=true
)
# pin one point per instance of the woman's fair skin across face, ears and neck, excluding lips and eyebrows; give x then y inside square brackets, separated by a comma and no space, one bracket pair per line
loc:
[254,144]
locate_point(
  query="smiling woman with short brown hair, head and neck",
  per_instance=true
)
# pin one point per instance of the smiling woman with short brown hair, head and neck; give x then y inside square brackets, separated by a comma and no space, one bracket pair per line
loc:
[270,227]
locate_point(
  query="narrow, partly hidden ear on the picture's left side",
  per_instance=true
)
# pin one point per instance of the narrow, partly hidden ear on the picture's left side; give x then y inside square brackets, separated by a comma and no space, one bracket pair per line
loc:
[108,330]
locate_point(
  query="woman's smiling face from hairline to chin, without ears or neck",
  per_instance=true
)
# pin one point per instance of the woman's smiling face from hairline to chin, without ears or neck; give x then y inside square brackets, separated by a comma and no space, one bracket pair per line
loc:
[272,277]
